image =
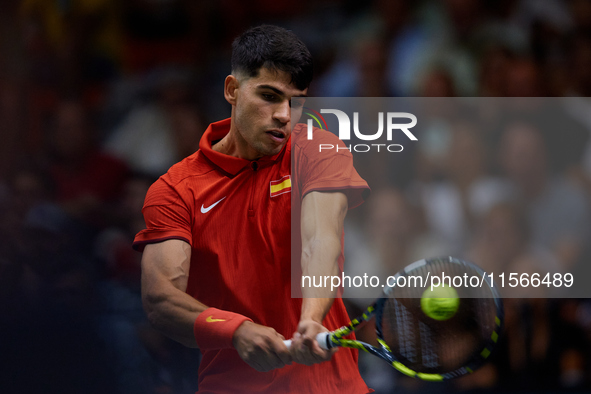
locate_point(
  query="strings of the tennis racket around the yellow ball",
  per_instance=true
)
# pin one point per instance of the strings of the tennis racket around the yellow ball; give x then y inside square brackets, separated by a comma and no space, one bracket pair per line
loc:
[430,346]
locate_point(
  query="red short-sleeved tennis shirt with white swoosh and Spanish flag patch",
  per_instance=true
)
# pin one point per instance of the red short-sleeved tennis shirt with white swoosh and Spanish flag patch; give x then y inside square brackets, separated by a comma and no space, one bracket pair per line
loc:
[236,215]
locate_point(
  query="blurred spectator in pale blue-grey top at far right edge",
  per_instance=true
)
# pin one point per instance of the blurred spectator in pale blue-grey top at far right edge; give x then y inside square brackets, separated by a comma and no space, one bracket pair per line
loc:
[557,211]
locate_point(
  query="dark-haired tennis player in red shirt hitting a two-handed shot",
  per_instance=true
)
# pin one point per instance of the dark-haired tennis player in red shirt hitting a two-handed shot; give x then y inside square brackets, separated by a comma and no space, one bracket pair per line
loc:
[216,270]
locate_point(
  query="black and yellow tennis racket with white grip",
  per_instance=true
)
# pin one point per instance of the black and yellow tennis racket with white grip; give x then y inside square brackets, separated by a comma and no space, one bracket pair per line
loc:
[418,345]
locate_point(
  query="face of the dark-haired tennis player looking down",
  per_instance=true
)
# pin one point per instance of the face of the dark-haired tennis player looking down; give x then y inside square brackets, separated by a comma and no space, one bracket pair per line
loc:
[263,112]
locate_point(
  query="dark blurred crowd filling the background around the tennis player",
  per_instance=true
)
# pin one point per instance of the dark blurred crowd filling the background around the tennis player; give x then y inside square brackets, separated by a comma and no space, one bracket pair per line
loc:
[99,97]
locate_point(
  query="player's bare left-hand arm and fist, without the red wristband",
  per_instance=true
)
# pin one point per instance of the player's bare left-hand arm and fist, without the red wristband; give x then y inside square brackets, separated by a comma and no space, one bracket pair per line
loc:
[165,274]
